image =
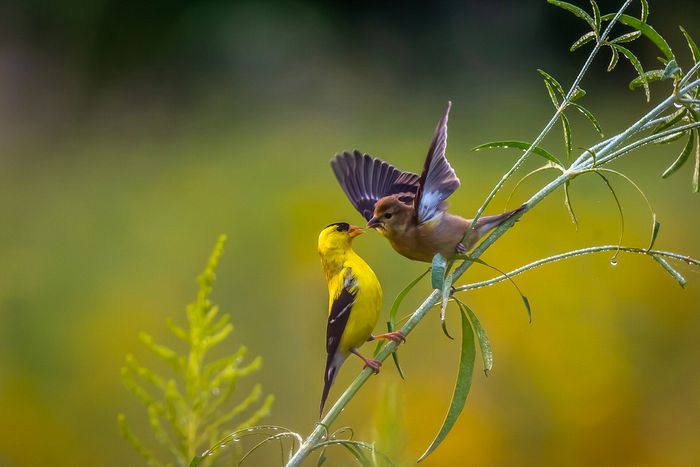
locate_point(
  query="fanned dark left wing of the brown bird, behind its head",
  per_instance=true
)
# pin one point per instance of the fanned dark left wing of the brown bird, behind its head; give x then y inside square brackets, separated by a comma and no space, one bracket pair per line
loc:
[366,179]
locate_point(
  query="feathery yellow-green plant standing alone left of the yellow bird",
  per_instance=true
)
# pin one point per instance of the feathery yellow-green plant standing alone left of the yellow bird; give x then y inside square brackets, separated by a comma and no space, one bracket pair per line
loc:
[188,411]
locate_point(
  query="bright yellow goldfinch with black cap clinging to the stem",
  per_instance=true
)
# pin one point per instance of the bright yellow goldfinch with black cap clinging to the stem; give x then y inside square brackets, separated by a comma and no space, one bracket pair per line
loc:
[354,301]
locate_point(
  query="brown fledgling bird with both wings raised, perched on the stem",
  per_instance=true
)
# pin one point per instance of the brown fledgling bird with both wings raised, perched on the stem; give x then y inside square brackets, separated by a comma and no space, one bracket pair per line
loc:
[410,210]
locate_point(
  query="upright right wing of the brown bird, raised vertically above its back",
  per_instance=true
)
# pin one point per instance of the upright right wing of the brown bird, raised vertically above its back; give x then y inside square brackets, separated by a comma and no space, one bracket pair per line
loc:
[438,180]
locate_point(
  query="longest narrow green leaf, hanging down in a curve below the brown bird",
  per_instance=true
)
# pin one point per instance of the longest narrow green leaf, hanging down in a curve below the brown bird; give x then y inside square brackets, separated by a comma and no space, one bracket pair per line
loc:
[462,386]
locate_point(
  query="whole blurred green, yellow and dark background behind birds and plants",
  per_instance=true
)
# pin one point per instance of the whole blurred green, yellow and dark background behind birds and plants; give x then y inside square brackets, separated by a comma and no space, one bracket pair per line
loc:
[133,133]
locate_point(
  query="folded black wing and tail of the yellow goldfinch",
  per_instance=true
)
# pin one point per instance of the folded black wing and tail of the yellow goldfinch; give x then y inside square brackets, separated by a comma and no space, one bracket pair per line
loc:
[337,320]
